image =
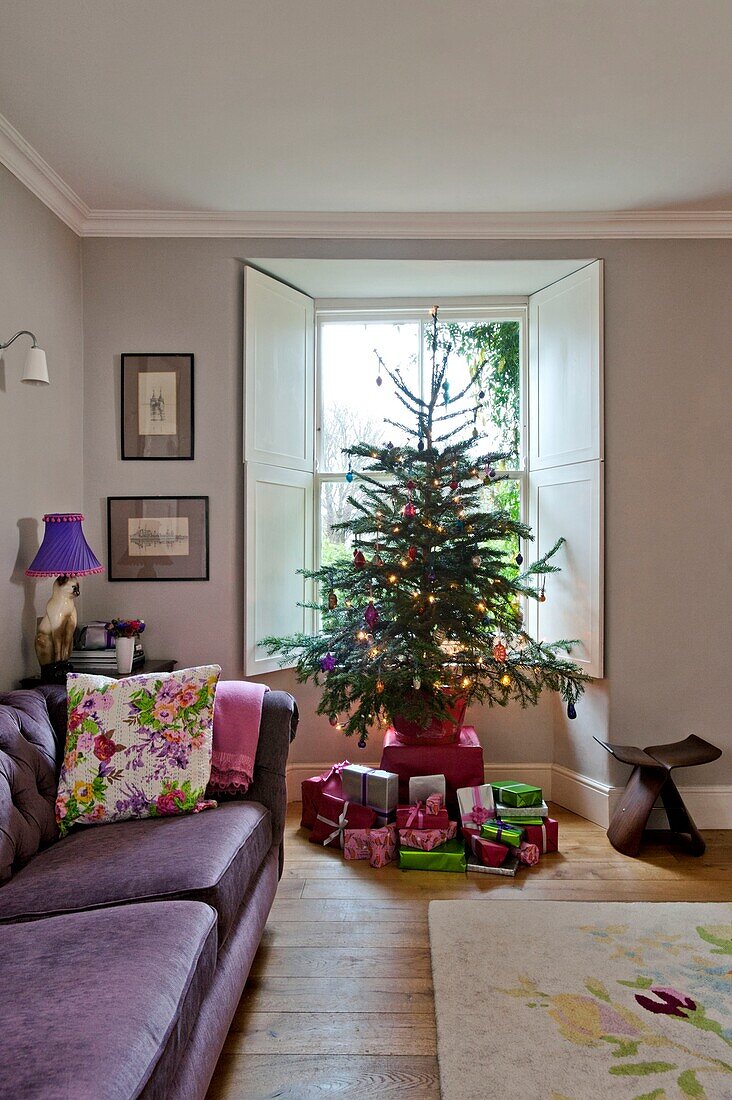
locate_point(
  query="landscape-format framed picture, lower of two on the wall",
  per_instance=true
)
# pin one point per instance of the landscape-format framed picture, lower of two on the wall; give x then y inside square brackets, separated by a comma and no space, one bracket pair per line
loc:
[158,538]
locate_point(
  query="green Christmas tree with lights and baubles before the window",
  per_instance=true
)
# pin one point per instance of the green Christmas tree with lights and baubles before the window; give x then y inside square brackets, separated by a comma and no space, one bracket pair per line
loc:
[430,610]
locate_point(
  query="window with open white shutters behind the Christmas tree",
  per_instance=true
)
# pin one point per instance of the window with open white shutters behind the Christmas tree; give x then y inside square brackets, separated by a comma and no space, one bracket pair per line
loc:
[544,403]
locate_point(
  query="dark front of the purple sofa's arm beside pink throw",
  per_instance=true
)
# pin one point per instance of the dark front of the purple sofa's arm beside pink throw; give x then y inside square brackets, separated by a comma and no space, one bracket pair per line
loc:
[277,731]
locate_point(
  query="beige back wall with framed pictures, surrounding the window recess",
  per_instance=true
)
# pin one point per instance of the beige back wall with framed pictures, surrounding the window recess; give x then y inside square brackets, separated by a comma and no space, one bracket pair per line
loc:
[669,482]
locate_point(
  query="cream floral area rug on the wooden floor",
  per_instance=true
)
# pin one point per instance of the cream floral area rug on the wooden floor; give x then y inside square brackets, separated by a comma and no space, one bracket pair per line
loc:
[541,1000]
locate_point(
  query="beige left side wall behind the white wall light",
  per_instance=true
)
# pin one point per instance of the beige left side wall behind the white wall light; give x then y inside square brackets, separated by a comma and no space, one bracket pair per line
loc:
[41,452]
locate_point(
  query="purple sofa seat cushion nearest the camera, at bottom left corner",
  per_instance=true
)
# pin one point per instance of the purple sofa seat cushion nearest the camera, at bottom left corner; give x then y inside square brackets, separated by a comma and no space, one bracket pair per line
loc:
[103,999]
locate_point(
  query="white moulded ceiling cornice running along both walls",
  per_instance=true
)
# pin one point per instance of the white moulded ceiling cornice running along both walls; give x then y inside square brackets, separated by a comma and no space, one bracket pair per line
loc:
[38,175]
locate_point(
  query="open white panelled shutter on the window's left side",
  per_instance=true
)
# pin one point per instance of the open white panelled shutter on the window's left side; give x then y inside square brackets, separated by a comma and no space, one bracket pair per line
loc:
[279,460]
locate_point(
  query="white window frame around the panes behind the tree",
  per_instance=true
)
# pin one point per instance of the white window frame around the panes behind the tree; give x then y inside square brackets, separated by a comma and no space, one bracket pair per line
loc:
[417,312]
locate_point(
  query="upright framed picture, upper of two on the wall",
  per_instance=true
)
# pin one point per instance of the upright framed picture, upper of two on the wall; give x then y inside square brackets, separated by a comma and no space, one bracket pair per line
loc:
[158,406]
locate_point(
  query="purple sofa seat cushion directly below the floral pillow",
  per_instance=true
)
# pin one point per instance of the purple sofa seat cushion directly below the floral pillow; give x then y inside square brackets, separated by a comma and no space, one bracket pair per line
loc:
[206,857]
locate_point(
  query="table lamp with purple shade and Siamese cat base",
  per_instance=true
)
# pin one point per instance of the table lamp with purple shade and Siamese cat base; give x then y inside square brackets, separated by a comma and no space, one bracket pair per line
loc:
[65,555]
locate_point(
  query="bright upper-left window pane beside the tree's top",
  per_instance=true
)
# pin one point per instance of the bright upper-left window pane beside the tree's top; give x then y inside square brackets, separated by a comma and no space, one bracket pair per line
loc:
[354,405]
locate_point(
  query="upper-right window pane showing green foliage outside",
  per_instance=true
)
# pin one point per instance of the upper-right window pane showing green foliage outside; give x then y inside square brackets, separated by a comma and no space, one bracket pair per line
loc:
[494,348]
